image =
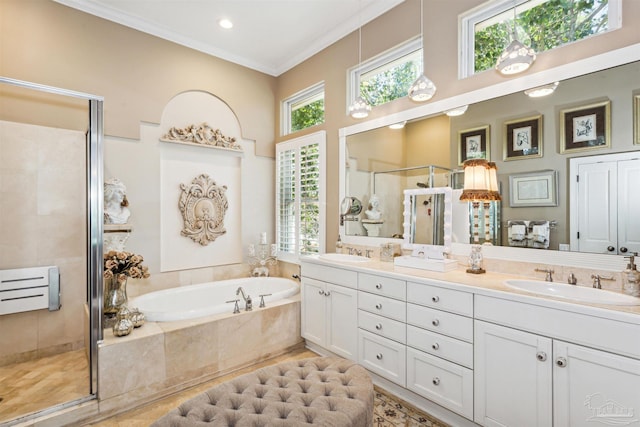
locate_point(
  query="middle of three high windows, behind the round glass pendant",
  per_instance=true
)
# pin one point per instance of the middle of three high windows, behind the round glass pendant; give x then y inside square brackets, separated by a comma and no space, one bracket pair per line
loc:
[387,76]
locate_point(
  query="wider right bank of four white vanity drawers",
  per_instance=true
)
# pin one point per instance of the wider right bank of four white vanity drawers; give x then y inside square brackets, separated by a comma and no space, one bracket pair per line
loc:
[440,346]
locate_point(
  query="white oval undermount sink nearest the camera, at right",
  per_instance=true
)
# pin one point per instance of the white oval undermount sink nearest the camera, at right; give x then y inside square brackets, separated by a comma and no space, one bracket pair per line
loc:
[572,292]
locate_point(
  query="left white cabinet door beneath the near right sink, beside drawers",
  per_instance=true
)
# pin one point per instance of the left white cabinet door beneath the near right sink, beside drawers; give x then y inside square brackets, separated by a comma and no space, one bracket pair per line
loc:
[512,377]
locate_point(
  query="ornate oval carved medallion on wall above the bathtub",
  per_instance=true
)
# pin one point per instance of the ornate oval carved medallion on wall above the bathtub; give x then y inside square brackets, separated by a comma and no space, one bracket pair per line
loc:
[203,205]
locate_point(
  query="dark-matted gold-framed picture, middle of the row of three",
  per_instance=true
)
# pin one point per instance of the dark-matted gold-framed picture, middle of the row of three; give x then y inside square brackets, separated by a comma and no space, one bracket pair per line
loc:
[523,138]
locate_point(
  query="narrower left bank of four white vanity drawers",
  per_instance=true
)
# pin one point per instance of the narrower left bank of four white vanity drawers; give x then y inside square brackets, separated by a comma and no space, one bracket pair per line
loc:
[381,323]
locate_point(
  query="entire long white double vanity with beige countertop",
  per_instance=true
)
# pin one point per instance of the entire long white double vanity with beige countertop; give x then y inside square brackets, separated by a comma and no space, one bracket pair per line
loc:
[461,346]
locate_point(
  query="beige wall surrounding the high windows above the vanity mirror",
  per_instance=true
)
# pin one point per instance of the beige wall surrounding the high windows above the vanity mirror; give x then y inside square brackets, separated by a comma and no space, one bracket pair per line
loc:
[441,65]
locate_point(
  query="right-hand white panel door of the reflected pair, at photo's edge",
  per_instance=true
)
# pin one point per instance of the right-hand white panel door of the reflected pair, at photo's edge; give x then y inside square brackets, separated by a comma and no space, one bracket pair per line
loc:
[628,206]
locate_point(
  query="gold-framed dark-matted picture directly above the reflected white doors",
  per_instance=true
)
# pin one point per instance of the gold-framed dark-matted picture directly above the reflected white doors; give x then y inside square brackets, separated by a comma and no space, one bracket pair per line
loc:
[586,127]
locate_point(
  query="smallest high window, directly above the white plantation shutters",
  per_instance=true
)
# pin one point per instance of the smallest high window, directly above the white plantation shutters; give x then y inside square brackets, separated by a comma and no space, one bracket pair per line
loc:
[303,110]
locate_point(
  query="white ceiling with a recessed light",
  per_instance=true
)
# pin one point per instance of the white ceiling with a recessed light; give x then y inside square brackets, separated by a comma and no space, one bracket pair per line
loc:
[270,36]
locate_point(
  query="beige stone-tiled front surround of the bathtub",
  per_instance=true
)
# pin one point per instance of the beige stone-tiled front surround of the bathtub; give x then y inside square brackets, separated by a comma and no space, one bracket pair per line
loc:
[161,358]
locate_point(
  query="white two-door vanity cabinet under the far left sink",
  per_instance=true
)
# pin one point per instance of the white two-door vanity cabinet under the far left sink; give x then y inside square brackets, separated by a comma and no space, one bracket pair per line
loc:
[330,309]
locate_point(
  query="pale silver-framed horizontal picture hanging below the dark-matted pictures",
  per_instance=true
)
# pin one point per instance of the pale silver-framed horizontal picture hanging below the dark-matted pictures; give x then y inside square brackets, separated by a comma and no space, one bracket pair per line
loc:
[533,189]
